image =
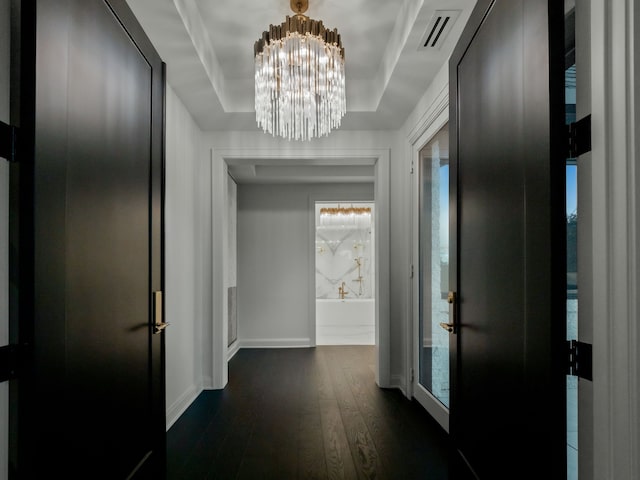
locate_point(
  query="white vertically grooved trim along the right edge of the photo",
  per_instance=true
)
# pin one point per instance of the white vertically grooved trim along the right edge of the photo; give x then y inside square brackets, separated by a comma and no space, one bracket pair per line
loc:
[613,240]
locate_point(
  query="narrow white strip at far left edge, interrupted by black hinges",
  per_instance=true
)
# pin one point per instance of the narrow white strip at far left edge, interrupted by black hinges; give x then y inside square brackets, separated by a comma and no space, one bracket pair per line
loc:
[4,231]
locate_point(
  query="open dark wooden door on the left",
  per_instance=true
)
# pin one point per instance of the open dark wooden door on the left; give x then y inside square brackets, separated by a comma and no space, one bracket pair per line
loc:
[86,237]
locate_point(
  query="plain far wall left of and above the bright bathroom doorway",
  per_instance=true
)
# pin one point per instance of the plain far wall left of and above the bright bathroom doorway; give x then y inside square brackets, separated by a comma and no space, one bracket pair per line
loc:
[275,242]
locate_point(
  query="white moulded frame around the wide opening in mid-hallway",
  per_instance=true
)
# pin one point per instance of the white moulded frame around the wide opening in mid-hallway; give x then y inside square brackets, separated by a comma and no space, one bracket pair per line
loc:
[381,160]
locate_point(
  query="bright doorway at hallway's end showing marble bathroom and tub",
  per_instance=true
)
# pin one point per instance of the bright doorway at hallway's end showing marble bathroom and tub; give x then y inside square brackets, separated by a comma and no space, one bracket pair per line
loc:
[344,273]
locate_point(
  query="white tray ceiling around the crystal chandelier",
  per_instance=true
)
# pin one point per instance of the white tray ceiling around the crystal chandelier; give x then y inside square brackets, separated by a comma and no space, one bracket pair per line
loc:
[208,48]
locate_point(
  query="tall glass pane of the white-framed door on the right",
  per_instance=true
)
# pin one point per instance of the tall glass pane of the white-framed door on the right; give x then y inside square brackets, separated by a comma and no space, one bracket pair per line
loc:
[433,348]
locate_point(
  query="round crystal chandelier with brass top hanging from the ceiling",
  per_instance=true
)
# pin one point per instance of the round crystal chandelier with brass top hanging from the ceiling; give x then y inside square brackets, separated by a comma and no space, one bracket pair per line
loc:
[299,75]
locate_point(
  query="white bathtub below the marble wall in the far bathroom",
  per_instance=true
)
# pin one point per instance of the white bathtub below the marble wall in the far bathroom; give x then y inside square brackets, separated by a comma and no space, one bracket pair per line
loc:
[345,322]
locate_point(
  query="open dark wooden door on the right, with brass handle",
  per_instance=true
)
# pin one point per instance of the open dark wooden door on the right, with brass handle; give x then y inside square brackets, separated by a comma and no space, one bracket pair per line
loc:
[508,385]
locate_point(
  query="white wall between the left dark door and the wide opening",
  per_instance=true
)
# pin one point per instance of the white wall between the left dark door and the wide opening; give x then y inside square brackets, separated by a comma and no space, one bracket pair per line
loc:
[186,234]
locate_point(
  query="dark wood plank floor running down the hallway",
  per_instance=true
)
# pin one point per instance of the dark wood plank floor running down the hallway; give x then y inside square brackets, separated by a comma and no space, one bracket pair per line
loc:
[306,413]
